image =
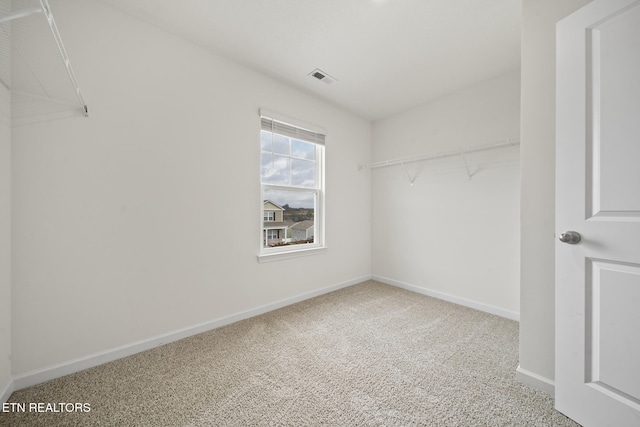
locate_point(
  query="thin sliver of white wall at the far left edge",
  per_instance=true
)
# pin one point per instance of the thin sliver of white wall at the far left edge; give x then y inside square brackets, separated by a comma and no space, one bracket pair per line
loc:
[5,216]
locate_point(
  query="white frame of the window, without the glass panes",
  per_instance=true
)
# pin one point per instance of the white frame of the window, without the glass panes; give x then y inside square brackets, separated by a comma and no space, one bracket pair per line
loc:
[318,246]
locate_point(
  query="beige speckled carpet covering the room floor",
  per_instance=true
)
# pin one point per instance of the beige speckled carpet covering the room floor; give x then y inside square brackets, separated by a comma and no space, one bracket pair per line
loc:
[367,355]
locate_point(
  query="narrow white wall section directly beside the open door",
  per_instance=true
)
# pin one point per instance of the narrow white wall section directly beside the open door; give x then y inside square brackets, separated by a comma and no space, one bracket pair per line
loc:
[538,189]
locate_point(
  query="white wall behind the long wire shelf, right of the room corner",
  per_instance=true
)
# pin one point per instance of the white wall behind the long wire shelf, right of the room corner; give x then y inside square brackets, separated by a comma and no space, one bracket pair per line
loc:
[448,235]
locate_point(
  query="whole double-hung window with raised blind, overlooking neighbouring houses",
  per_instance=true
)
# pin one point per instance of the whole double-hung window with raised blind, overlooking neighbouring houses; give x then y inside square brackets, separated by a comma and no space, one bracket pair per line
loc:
[292,182]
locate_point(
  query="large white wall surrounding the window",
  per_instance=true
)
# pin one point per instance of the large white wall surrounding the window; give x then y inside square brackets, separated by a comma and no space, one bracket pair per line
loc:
[144,219]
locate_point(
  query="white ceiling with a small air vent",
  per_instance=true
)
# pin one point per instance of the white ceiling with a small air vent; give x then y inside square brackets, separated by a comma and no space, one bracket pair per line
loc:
[387,55]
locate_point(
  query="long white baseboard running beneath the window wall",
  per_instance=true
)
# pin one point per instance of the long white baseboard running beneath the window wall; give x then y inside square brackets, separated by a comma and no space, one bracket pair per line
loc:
[56,371]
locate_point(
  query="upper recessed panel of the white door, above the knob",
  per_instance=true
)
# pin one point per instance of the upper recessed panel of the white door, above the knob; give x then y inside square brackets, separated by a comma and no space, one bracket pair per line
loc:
[614,113]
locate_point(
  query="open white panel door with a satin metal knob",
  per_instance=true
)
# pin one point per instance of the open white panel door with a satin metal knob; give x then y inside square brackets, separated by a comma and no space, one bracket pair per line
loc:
[598,196]
